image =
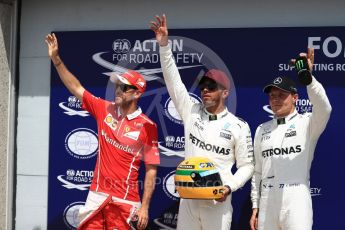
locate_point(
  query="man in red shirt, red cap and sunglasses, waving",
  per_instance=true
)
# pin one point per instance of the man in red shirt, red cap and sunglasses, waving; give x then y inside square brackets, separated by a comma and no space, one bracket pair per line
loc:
[126,136]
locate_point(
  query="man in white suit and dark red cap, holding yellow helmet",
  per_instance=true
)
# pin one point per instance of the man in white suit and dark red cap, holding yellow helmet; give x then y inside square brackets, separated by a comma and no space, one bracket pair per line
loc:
[210,131]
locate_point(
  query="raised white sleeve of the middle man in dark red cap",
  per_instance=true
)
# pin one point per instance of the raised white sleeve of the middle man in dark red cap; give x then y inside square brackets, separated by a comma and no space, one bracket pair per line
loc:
[177,90]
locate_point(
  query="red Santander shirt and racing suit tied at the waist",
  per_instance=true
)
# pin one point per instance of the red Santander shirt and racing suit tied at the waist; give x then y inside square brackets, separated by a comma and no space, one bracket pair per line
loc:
[123,143]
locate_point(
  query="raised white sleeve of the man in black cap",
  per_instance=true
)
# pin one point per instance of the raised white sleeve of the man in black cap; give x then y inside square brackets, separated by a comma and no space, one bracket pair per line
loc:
[321,108]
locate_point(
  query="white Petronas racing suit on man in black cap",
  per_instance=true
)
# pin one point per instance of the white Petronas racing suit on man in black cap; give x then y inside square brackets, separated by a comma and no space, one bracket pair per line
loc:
[283,156]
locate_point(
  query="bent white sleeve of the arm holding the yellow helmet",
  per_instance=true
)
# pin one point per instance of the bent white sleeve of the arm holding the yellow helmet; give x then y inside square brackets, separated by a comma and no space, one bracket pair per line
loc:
[244,159]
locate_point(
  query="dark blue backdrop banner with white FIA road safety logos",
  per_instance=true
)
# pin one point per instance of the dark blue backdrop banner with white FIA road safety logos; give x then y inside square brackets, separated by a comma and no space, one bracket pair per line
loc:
[251,57]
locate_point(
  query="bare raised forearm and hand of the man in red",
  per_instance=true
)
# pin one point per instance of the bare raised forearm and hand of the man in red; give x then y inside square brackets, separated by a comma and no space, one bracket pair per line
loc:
[69,80]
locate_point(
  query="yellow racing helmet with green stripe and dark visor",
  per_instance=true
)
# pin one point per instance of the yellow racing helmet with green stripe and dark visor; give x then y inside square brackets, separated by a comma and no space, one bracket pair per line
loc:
[198,178]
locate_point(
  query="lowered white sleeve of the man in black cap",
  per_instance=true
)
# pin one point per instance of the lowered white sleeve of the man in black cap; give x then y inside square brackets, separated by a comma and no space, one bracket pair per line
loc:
[256,179]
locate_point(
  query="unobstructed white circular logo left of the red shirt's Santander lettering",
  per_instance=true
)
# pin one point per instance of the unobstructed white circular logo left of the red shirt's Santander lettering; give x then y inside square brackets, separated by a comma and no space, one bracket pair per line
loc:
[82,143]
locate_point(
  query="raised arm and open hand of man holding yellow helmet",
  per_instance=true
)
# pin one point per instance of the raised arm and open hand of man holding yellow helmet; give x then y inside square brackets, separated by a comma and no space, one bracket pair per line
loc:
[174,84]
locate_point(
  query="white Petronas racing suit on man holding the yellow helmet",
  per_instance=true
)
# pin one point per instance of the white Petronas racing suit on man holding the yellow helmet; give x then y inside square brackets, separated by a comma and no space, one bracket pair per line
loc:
[225,141]
